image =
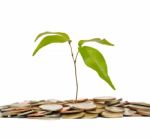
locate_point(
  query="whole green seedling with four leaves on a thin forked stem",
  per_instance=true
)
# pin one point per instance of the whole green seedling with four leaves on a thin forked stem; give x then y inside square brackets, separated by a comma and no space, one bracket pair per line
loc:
[91,56]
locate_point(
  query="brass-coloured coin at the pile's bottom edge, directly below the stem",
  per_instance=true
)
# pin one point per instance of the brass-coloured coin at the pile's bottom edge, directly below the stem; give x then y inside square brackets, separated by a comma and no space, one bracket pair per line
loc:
[73,116]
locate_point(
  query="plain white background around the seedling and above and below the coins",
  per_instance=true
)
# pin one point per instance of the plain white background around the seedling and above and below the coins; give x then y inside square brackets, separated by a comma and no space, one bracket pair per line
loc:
[49,74]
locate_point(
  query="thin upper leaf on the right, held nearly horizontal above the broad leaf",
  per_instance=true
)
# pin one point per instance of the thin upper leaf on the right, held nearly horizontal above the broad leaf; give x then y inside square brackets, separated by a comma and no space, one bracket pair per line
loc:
[98,40]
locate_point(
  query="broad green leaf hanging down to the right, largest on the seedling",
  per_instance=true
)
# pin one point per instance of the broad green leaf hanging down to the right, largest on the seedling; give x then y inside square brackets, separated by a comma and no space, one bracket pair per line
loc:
[95,60]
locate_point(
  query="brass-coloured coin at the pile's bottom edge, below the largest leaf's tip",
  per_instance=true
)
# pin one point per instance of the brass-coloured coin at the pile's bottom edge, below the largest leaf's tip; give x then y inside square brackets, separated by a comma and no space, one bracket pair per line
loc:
[107,114]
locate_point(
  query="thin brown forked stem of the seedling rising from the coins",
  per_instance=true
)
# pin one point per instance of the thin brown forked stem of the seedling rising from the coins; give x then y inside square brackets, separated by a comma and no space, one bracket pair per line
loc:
[75,69]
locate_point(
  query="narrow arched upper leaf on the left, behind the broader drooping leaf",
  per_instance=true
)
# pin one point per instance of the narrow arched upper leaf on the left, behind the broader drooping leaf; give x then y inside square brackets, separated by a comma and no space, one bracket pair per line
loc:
[53,33]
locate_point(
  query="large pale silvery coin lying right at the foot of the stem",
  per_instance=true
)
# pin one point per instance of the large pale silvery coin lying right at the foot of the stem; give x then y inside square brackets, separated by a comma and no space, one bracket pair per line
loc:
[84,106]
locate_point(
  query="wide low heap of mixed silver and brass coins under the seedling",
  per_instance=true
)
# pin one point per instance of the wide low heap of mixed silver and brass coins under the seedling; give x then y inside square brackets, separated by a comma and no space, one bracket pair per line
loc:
[107,107]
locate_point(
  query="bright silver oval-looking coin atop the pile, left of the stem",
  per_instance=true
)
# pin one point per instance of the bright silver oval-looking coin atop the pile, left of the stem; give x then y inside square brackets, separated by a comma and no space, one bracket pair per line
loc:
[51,107]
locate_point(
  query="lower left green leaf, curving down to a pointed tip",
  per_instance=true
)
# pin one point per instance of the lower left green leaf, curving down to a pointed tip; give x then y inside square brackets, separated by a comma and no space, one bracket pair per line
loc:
[48,40]
